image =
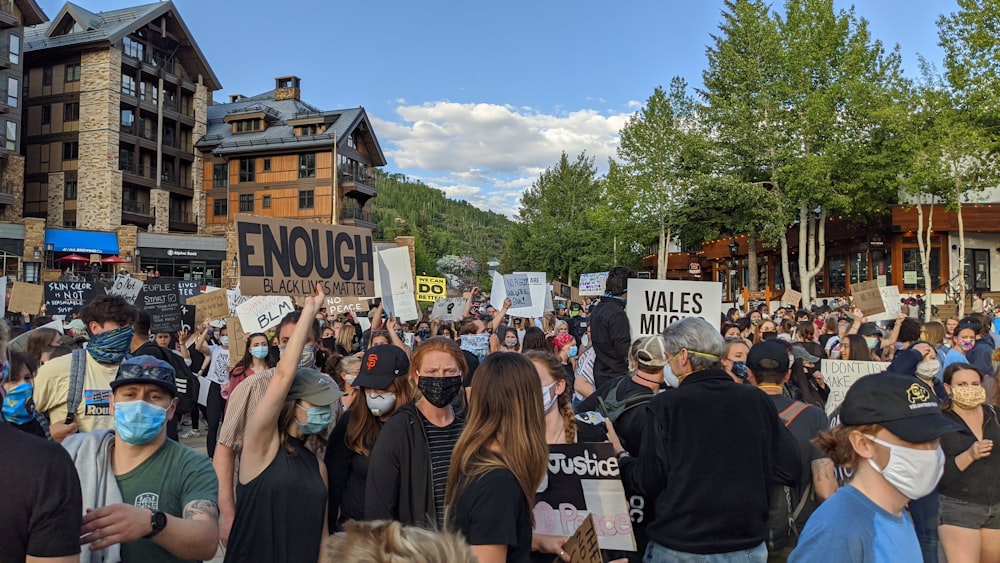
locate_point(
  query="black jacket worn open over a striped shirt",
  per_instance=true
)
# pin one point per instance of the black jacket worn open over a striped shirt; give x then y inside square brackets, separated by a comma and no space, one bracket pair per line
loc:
[399,483]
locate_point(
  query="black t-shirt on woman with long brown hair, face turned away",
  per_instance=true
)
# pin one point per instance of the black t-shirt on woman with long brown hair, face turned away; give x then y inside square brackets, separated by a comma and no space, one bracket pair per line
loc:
[492,510]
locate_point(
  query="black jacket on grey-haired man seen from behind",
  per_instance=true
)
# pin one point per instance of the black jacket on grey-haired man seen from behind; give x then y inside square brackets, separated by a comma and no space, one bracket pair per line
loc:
[710,453]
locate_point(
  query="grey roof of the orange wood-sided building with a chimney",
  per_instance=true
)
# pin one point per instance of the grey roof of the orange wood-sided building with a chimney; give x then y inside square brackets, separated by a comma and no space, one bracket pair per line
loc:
[279,135]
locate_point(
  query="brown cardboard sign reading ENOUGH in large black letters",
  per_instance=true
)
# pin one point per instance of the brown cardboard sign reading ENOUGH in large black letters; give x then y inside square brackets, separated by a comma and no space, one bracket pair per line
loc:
[288,257]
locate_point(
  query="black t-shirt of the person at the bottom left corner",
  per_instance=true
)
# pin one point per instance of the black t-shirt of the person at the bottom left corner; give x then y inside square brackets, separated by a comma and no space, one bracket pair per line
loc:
[42,509]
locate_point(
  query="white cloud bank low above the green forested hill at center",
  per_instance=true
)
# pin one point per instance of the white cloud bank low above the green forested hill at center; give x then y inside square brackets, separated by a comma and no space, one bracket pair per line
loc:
[487,154]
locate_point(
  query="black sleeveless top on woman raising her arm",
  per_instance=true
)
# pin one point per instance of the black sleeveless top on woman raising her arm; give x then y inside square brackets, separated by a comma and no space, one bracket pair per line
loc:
[279,514]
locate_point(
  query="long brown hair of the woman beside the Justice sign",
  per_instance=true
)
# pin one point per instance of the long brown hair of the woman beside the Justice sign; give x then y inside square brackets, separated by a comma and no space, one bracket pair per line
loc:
[505,429]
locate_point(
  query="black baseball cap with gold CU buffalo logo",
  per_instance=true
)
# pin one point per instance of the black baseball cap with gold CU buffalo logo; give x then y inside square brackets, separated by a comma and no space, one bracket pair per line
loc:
[903,405]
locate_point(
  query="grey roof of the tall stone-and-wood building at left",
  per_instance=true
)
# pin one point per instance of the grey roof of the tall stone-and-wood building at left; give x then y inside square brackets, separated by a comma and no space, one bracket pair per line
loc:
[112,27]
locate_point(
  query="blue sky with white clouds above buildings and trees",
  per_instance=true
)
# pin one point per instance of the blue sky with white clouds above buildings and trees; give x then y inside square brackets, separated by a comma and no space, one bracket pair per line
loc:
[477,98]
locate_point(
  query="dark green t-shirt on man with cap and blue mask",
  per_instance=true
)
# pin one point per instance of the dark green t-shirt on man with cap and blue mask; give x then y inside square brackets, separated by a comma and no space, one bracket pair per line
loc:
[171,478]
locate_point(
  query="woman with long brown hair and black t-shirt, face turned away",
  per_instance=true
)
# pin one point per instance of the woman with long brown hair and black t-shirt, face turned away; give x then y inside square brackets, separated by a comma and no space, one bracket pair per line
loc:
[499,461]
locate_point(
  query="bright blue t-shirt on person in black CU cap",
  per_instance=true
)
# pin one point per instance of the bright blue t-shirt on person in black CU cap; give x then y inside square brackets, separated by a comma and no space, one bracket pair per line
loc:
[850,527]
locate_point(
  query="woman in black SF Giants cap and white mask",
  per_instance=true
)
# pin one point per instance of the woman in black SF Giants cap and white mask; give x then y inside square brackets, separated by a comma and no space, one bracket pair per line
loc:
[380,388]
